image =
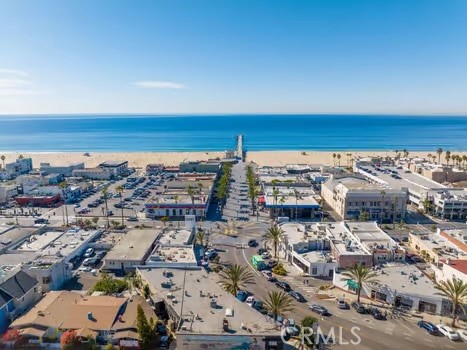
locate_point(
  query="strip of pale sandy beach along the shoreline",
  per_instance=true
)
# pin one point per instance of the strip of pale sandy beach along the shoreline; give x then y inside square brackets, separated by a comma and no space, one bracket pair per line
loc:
[140,159]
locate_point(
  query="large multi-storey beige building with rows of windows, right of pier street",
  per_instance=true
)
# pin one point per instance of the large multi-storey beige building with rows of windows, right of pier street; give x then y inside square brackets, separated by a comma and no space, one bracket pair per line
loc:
[351,195]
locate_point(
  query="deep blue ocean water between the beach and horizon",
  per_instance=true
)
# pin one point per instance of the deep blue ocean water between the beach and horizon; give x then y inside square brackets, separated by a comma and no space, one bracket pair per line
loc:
[135,133]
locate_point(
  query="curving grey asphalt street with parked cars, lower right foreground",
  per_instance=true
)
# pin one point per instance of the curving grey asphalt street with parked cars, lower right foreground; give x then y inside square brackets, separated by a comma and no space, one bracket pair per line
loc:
[391,334]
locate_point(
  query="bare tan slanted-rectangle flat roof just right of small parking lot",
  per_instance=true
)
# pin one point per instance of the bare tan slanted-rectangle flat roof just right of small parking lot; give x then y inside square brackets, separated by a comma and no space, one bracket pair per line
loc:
[133,245]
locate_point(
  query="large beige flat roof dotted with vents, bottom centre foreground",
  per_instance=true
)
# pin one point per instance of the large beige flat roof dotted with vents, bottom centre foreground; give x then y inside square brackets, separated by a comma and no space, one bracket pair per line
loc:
[205,303]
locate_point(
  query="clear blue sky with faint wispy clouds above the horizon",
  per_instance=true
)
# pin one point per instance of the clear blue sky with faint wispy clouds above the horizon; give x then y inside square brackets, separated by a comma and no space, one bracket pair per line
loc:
[233,56]
